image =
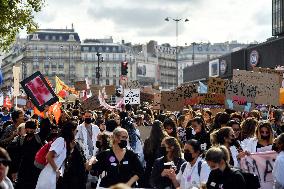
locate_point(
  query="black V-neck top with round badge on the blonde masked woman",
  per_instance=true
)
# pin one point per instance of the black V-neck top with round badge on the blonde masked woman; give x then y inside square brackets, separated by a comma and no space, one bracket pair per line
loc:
[117,172]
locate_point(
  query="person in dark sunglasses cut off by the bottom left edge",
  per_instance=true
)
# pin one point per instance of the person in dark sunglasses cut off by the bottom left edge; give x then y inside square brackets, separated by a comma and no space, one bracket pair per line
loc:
[5,161]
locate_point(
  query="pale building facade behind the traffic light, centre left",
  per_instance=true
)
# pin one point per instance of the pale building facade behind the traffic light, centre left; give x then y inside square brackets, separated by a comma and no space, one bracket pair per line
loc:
[110,65]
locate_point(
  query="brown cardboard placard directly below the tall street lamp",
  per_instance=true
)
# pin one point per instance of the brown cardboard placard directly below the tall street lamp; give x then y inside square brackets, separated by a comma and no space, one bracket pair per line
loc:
[171,101]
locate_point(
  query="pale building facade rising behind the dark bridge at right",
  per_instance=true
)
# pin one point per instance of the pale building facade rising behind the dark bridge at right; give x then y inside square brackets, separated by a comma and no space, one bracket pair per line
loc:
[200,52]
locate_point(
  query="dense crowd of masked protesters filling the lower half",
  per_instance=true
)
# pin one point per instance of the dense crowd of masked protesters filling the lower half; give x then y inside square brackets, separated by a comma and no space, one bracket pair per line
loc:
[192,148]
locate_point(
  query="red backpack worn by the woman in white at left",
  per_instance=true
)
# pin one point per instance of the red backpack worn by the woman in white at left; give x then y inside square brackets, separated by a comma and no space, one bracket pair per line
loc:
[40,157]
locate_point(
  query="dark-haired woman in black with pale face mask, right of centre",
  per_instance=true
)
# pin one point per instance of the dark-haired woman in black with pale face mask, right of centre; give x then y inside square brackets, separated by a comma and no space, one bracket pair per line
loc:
[198,132]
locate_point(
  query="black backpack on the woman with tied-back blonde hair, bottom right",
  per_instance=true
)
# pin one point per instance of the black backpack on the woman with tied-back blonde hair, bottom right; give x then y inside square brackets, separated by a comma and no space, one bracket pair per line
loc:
[251,180]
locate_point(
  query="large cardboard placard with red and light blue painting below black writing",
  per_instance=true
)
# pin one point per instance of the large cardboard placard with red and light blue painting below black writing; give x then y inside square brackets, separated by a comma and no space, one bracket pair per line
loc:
[240,97]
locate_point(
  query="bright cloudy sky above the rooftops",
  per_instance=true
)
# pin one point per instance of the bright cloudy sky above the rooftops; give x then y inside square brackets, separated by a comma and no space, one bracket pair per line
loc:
[140,21]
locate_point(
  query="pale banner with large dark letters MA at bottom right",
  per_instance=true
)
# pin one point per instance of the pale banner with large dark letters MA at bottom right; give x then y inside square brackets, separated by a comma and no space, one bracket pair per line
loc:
[260,164]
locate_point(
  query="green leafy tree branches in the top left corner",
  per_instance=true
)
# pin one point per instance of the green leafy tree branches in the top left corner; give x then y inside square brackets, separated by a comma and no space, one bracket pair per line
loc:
[16,15]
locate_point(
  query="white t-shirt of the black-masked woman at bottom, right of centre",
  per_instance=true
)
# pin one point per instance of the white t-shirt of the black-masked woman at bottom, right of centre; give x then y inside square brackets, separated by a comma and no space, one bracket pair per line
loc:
[190,177]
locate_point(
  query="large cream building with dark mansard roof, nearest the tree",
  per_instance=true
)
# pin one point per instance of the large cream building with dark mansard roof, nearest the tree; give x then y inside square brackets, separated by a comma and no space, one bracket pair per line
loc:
[53,52]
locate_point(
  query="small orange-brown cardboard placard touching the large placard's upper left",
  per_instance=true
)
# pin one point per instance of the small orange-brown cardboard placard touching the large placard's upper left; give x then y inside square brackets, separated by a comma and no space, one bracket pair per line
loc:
[216,85]
